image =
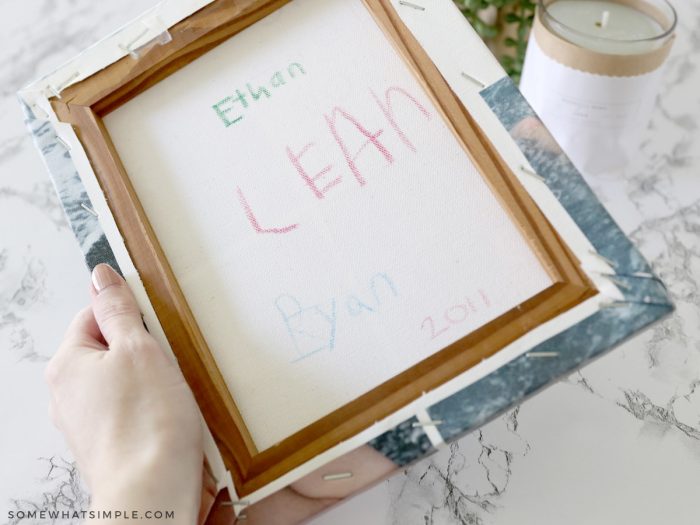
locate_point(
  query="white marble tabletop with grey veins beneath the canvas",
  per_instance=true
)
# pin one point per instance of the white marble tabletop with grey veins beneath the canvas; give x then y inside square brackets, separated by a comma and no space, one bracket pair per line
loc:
[618,442]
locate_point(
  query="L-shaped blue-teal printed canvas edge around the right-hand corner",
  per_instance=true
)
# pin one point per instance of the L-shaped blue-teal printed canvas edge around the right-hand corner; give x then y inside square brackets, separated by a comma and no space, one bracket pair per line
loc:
[646,299]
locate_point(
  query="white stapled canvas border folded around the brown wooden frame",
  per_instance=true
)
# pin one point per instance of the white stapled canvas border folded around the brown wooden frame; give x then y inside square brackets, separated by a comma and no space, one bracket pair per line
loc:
[445,35]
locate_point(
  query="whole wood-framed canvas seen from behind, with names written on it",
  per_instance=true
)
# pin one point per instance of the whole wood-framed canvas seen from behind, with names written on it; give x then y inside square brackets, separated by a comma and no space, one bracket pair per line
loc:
[375,258]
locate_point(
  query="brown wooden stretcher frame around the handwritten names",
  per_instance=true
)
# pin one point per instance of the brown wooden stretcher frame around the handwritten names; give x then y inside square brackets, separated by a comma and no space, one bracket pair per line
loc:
[84,104]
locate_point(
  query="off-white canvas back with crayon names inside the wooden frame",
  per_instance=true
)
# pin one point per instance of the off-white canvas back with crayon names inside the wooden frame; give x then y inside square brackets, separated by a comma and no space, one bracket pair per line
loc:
[324,224]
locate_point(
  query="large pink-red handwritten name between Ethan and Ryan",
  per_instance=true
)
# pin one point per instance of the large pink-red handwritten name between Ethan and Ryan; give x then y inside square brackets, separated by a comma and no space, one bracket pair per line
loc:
[320,182]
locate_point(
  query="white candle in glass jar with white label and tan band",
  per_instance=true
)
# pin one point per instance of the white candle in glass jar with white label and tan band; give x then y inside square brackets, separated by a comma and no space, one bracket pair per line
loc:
[592,72]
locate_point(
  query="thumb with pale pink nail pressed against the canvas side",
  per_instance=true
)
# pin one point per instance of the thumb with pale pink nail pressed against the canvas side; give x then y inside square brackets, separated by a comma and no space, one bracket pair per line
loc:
[114,306]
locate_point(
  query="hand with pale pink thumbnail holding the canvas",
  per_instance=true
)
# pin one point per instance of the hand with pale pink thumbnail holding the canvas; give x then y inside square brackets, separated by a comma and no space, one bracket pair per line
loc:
[125,409]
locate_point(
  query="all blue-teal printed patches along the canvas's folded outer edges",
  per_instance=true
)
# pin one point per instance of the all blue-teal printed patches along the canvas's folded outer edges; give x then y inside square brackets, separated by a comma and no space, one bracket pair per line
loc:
[646,299]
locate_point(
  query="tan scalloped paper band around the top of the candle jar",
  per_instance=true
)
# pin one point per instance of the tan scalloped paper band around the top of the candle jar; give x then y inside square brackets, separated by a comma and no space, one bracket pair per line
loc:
[590,61]
